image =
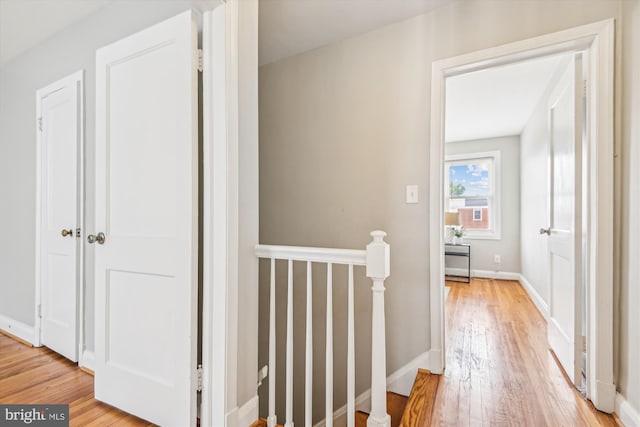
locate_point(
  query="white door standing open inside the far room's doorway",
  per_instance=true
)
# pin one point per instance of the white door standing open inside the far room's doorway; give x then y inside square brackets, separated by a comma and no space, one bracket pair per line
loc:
[565,221]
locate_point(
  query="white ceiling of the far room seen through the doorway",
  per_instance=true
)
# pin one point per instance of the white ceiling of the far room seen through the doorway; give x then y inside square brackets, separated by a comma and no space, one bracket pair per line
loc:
[496,101]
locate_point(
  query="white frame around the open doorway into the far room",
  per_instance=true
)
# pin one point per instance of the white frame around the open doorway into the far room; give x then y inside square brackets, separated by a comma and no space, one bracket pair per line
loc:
[598,39]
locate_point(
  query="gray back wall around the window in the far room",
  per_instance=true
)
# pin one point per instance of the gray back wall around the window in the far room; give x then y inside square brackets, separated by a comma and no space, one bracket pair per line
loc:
[508,247]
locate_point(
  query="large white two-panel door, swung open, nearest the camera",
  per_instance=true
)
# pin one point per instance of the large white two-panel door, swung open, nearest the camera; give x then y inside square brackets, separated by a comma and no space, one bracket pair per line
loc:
[146,208]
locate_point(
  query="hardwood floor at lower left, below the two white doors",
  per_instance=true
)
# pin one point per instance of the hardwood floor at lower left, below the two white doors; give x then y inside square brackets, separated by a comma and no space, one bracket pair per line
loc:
[40,376]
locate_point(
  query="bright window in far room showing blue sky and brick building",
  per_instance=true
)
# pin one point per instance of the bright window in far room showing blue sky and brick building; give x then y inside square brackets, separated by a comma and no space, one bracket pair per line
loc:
[471,189]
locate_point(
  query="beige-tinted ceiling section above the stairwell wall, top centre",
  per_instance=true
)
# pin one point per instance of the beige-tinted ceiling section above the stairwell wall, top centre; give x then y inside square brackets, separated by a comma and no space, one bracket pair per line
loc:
[289,27]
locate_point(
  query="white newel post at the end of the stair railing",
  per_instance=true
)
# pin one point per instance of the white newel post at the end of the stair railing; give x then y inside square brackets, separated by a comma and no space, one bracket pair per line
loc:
[378,269]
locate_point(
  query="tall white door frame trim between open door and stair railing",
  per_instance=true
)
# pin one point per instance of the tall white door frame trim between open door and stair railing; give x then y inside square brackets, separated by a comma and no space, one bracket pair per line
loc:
[220,211]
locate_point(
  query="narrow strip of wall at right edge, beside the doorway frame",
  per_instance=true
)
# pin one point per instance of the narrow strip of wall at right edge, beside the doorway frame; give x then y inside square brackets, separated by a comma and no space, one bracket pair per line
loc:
[628,192]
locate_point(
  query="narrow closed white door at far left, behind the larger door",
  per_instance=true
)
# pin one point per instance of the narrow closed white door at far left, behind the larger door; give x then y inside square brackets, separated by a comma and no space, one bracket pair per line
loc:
[60,132]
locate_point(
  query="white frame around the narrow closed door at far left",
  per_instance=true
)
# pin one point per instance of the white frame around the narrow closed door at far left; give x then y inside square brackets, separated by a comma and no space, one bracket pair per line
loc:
[78,79]
